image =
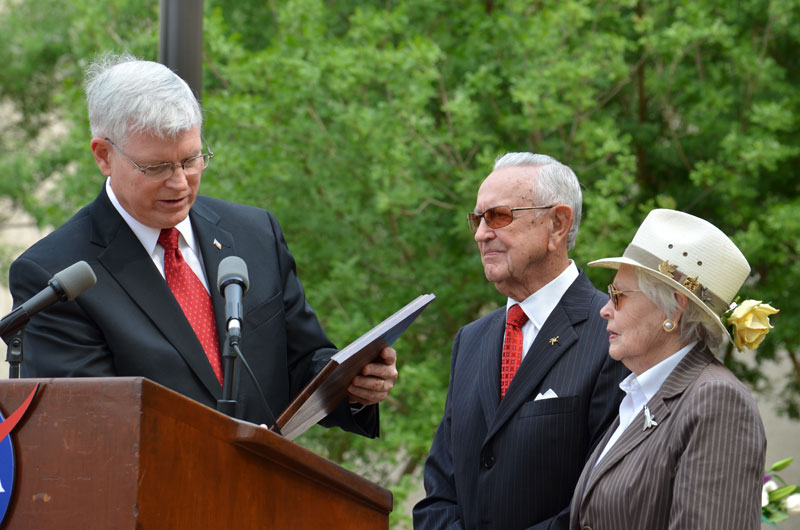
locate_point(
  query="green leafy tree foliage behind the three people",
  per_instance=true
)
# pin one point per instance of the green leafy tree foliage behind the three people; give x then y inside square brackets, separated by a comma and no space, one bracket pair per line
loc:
[367,126]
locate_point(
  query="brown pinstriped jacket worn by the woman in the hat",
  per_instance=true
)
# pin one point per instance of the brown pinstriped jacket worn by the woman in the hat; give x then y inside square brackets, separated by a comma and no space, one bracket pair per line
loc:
[701,467]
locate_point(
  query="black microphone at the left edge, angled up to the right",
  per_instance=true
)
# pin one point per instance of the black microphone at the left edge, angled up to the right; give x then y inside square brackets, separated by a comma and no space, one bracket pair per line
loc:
[63,286]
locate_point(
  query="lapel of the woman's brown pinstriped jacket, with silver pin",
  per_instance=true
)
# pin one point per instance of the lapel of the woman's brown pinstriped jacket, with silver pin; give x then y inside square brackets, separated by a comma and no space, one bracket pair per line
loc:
[660,406]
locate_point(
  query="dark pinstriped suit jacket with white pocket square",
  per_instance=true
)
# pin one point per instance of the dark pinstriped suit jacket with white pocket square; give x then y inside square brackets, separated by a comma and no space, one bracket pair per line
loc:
[513,464]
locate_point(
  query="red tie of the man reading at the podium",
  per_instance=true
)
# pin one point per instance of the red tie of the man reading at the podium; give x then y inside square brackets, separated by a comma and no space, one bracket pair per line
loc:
[192,297]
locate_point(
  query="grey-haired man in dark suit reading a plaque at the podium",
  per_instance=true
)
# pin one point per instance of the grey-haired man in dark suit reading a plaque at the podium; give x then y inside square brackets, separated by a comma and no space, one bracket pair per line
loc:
[155,246]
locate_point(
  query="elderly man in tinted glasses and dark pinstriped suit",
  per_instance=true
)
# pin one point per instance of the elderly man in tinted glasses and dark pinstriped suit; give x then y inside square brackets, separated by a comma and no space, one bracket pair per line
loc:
[532,388]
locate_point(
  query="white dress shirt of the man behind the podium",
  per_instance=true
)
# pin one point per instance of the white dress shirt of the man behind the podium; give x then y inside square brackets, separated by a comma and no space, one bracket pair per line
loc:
[148,237]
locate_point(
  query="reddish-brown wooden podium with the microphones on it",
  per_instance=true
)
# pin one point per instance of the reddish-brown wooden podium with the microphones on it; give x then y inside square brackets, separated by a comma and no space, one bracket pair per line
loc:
[126,453]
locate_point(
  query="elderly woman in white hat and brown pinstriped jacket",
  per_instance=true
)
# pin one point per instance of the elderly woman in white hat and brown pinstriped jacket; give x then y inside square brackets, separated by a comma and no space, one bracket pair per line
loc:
[687,449]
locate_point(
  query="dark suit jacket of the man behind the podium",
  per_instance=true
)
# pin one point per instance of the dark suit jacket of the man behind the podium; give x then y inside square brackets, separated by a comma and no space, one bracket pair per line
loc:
[129,323]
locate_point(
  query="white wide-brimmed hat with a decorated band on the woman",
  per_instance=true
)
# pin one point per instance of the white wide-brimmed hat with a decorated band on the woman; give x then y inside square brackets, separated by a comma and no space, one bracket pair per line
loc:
[690,255]
